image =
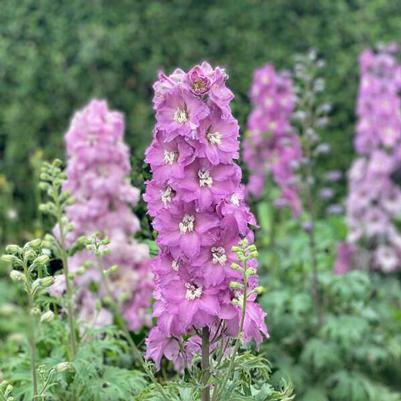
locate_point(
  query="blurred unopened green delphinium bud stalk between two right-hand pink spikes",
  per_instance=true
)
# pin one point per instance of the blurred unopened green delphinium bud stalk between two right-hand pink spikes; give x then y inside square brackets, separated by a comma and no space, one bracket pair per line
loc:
[309,117]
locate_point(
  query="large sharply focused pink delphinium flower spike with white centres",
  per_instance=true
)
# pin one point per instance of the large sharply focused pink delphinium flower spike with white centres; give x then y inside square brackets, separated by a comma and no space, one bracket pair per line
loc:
[198,209]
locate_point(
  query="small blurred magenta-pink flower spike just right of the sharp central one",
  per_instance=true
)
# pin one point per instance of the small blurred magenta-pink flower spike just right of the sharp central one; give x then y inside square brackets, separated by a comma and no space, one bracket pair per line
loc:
[271,147]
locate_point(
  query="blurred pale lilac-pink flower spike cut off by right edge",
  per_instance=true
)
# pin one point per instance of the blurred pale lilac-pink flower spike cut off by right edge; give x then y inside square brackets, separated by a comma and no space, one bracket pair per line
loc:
[374,201]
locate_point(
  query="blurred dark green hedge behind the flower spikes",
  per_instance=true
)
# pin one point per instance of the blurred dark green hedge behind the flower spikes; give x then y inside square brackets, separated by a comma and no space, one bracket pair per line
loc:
[55,56]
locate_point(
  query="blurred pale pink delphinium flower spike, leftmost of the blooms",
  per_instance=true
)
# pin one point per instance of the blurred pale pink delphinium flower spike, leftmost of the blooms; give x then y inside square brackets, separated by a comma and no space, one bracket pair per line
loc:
[98,178]
